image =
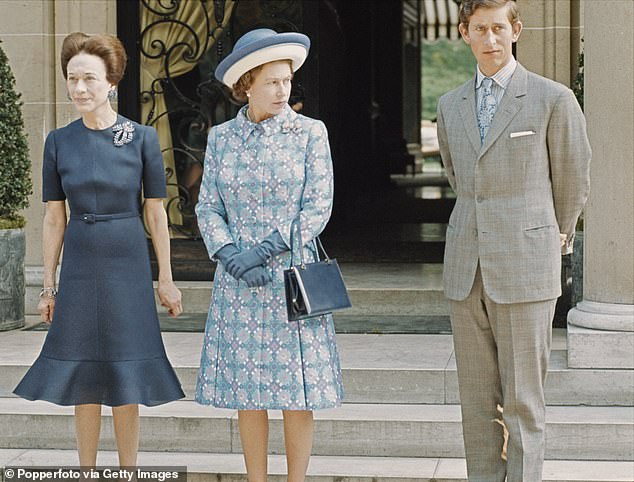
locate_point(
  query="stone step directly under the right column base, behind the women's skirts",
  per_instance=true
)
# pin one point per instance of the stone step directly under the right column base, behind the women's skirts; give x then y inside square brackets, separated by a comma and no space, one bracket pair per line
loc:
[401,369]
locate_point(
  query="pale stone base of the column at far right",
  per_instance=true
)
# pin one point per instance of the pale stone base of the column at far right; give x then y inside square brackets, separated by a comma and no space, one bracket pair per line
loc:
[601,335]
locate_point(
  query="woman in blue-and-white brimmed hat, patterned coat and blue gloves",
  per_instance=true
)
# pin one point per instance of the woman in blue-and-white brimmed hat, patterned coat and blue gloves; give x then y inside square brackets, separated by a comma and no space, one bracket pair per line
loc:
[263,169]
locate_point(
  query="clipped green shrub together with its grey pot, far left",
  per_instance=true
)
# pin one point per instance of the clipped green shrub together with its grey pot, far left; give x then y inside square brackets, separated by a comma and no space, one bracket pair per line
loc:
[15,188]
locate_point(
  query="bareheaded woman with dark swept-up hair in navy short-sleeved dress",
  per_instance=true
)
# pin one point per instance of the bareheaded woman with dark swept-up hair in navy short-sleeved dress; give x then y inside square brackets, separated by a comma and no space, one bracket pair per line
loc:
[104,344]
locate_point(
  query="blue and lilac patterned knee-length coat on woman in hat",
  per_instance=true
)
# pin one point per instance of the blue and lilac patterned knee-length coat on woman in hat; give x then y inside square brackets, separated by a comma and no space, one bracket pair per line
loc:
[258,177]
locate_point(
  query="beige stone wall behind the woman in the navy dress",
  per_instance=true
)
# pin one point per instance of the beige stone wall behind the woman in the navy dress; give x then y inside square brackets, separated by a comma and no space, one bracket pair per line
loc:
[32,32]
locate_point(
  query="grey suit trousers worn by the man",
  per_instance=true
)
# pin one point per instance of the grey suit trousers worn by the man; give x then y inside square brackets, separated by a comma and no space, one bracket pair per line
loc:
[502,353]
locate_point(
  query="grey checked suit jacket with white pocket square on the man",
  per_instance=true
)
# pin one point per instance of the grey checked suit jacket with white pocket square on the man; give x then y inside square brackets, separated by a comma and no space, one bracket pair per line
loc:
[514,194]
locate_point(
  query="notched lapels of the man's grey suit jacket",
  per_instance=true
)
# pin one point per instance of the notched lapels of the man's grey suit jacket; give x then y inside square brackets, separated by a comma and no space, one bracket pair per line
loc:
[509,106]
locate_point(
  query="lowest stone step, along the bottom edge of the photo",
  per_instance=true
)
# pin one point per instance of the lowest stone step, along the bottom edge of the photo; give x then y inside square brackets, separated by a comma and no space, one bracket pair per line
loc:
[230,467]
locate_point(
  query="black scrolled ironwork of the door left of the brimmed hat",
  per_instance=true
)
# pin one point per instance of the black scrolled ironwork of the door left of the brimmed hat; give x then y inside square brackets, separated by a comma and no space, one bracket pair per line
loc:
[195,101]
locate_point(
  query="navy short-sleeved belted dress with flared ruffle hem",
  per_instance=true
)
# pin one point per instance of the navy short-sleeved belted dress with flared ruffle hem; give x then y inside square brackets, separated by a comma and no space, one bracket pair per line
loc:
[104,345]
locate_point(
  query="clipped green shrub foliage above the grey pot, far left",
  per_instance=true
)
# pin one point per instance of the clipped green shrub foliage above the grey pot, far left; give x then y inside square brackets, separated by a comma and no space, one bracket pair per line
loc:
[15,164]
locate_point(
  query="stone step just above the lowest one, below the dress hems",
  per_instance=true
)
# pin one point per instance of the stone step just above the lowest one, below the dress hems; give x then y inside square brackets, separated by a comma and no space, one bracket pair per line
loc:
[392,430]
